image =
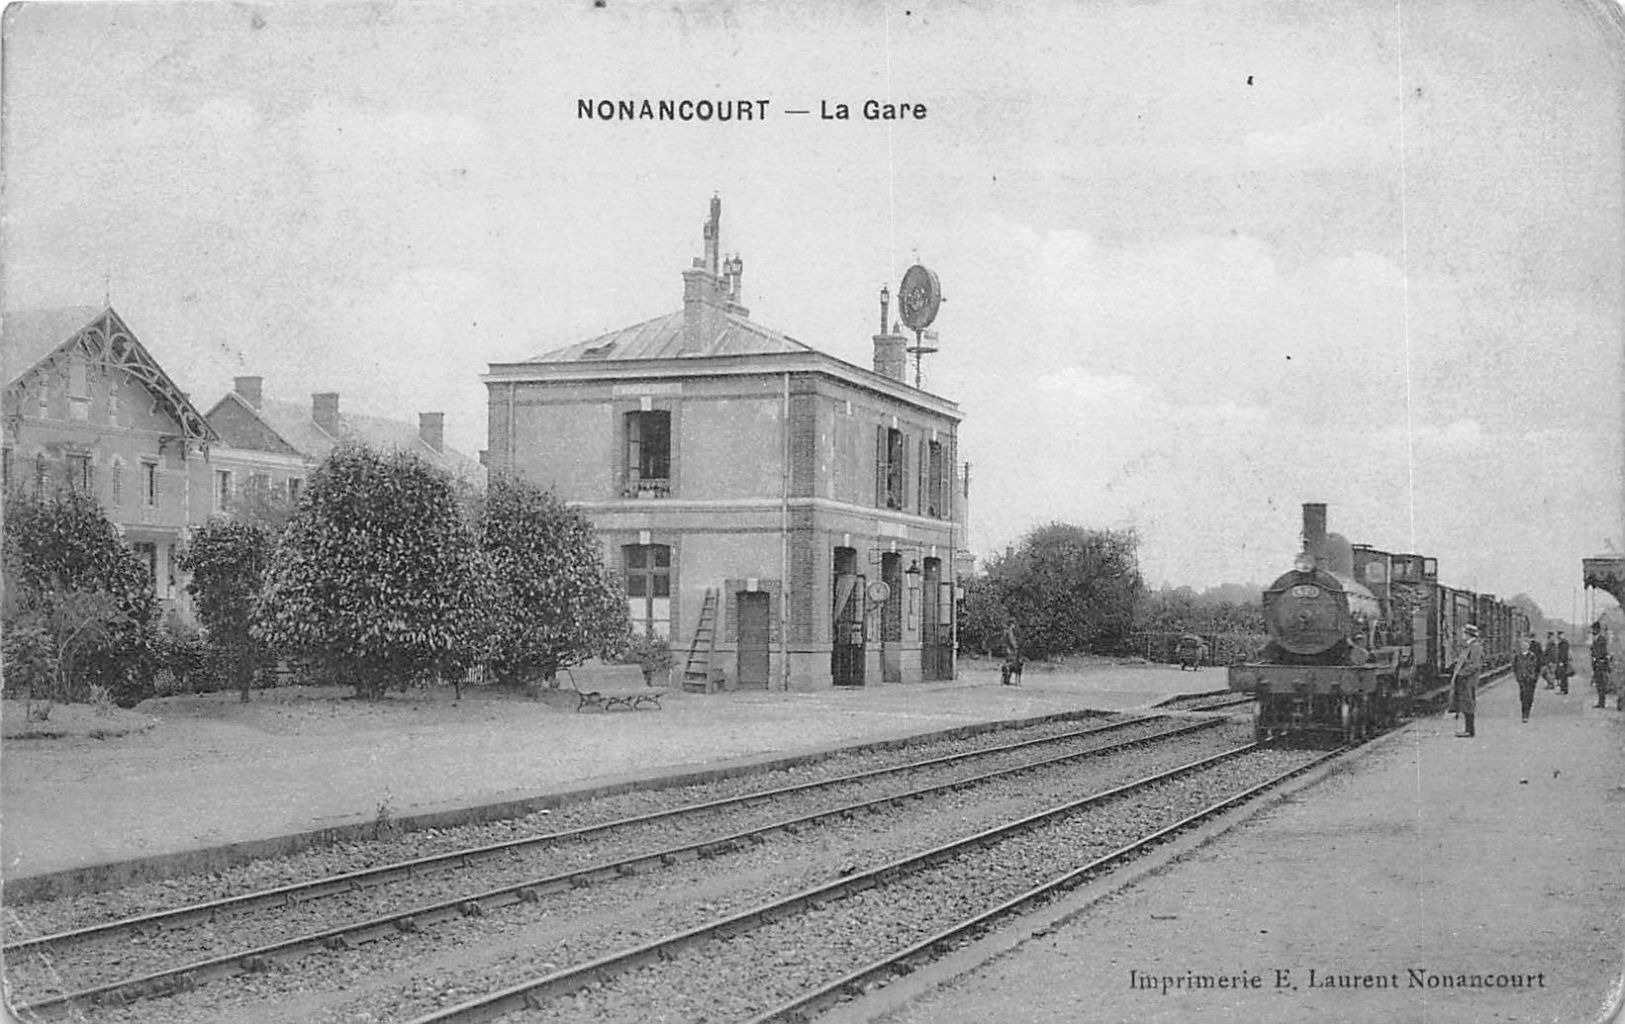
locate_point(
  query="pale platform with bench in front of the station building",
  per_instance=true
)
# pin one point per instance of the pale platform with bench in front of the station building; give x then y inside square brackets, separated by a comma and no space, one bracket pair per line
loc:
[196,784]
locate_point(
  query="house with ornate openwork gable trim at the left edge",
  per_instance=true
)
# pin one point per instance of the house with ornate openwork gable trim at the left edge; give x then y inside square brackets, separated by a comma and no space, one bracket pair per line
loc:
[90,410]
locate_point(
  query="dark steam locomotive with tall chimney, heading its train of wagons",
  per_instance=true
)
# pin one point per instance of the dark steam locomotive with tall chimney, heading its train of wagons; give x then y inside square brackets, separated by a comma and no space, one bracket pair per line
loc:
[1361,639]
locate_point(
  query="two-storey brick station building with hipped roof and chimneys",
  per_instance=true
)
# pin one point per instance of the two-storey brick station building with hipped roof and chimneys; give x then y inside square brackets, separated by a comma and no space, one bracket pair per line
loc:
[782,517]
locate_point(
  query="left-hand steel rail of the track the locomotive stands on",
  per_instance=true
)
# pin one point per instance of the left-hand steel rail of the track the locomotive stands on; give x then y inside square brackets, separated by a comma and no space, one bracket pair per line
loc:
[519,998]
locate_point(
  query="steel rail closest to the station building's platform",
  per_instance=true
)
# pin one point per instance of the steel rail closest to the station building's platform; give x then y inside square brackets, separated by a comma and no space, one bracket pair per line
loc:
[350,881]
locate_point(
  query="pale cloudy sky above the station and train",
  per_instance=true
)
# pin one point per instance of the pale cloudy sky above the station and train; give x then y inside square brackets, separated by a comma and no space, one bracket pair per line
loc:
[1203,264]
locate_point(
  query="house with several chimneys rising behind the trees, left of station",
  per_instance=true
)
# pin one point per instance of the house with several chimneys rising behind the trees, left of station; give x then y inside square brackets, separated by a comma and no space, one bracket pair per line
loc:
[272,446]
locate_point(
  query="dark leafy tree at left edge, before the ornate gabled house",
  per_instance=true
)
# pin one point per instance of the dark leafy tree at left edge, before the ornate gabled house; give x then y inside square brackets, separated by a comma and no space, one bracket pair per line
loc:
[69,574]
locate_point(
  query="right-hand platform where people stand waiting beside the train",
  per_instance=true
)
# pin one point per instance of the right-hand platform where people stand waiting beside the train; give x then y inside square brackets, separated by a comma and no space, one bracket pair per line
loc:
[1428,879]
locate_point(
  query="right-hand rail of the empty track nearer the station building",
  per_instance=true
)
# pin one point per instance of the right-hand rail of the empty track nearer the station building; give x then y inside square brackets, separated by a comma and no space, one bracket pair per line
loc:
[191,977]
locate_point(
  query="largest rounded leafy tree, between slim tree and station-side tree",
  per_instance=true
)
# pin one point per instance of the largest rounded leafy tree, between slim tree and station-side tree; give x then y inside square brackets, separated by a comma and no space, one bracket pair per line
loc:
[376,577]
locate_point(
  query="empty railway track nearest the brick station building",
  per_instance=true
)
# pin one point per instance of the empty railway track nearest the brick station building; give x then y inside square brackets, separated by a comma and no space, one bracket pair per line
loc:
[59,954]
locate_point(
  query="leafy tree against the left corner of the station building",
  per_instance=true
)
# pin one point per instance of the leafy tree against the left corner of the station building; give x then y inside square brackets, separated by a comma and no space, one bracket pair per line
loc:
[553,602]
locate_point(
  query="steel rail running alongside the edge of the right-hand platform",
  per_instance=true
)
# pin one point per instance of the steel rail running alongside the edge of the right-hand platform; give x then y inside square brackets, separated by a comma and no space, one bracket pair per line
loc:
[909,959]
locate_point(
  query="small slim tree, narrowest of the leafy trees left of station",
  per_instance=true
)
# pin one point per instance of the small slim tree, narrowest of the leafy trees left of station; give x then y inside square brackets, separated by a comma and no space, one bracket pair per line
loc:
[227,561]
